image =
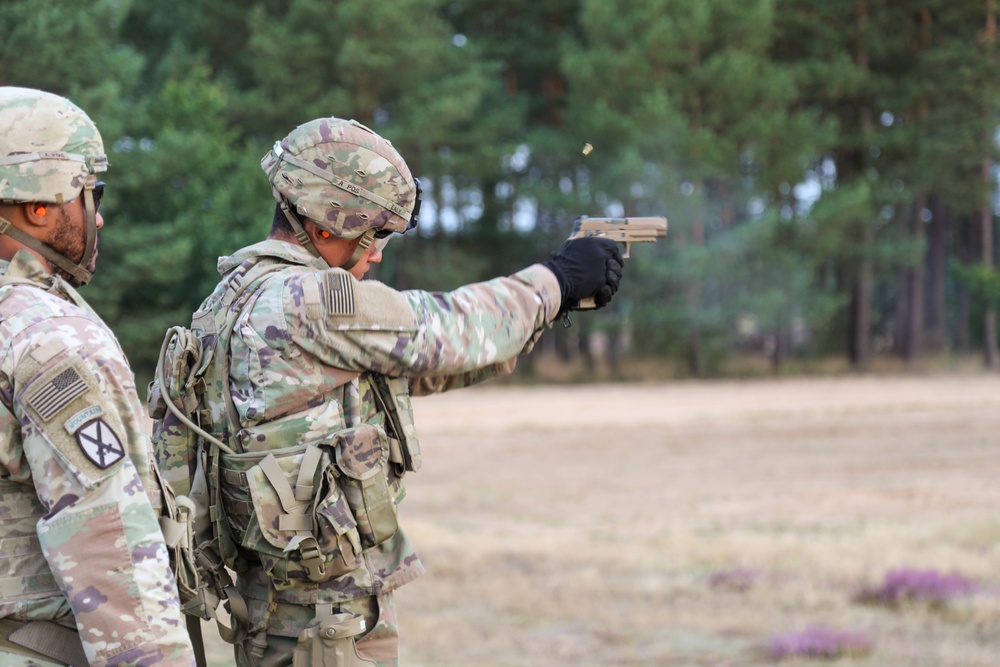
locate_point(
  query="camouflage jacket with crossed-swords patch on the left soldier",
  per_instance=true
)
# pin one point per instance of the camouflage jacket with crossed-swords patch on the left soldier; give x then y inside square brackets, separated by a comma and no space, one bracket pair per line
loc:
[82,543]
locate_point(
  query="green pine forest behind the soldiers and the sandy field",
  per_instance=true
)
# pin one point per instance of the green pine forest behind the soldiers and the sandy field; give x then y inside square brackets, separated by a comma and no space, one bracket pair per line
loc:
[828,167]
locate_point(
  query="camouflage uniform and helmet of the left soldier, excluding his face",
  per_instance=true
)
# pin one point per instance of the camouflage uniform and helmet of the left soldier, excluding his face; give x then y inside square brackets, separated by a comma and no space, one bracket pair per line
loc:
[79,496]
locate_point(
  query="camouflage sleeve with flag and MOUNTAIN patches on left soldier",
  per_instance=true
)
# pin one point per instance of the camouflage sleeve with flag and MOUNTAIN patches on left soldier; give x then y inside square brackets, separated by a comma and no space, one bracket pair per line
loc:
[83,439]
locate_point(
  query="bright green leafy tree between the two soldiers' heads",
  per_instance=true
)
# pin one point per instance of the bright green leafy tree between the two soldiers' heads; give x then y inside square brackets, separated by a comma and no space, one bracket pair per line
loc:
[184,189]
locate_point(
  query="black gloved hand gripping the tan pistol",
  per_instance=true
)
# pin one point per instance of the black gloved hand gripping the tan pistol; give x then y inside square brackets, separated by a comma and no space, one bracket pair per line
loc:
[591,266]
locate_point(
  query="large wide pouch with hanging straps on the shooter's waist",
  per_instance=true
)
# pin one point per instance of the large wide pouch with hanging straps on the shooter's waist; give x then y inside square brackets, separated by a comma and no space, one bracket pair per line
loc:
[293,516]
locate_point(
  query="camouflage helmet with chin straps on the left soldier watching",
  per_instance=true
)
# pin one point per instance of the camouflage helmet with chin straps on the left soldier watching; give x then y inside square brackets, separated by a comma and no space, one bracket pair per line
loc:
[51,152]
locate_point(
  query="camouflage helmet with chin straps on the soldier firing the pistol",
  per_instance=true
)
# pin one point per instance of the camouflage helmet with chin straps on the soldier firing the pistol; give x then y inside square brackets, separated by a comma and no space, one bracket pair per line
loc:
[344,177]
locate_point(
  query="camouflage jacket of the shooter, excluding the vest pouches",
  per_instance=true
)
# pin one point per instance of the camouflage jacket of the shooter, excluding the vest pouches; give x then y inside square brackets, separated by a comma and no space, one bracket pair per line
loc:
[304,355]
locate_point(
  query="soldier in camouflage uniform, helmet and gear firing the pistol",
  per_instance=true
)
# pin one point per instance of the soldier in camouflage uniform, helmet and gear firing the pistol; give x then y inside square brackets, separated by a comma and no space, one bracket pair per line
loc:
[301,376]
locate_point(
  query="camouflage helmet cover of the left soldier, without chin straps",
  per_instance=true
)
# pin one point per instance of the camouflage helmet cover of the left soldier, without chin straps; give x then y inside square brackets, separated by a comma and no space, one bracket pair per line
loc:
[48,147]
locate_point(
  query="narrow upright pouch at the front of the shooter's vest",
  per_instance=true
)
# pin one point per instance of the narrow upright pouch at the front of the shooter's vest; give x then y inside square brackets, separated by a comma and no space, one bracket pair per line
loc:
[362,455]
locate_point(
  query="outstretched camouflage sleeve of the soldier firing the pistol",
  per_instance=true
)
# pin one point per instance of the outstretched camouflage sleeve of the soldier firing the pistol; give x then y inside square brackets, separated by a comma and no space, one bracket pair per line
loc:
[452,338]
